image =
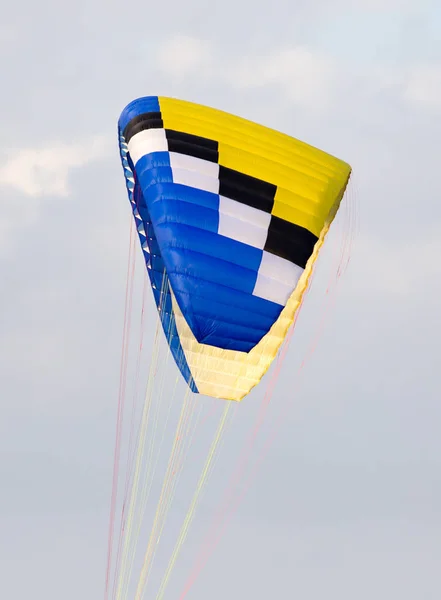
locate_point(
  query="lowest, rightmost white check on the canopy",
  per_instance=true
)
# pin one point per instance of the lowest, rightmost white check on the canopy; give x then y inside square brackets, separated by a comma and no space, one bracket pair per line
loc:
[276,278]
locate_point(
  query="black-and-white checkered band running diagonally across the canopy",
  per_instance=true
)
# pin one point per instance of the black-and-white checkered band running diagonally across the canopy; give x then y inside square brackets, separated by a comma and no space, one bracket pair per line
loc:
[276,276]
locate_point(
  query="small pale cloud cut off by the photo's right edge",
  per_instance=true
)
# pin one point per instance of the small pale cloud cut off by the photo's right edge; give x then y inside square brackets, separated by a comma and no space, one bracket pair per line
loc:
[423,86]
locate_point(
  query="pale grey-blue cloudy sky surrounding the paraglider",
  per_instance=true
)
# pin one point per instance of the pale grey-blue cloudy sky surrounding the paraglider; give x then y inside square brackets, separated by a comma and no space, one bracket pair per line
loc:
[347,502]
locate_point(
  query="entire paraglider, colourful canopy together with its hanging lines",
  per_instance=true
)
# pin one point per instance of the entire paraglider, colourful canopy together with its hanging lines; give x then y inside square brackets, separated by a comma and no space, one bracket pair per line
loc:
[231,217]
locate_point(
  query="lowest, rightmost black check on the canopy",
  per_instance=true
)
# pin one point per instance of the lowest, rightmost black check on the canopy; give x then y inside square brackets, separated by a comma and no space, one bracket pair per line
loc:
[290,241]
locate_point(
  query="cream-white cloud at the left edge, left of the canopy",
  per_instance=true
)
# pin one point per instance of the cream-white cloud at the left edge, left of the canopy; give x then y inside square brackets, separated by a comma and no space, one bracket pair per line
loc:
[40,172]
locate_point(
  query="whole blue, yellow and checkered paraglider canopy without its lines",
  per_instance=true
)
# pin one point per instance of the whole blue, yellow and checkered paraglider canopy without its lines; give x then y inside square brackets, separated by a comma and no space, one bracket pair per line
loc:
[231,216]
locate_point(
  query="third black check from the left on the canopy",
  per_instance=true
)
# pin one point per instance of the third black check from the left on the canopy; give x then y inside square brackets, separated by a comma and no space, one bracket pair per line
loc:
[246,189]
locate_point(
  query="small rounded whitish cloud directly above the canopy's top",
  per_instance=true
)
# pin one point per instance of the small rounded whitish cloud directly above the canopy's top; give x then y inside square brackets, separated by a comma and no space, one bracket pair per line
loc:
[182,55]
